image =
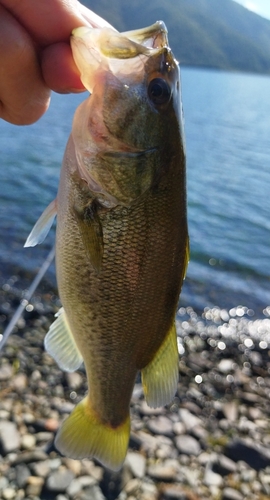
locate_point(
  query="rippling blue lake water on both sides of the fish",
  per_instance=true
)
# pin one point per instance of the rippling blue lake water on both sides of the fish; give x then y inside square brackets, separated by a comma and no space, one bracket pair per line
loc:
[227,123]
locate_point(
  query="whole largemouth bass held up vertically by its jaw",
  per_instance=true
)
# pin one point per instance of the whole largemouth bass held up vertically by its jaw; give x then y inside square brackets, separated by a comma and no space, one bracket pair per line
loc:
[121,239]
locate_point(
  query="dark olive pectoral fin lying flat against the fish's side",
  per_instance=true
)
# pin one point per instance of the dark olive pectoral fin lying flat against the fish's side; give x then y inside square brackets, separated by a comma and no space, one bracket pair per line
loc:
[91,233]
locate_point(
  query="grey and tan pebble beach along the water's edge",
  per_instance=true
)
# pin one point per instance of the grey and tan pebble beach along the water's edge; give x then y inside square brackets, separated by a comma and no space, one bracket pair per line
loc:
[211,443]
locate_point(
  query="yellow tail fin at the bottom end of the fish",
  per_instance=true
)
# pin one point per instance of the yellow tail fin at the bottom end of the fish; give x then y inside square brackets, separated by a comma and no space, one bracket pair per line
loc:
[82,435]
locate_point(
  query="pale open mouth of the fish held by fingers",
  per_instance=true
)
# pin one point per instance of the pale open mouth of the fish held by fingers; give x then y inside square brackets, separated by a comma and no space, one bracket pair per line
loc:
[125,53]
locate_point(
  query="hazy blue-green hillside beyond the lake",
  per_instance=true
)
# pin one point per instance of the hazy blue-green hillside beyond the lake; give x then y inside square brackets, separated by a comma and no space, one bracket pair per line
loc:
[208,33]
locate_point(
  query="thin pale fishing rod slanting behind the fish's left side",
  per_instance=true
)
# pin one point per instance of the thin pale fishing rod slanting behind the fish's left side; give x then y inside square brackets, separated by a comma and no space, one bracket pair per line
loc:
[16,316]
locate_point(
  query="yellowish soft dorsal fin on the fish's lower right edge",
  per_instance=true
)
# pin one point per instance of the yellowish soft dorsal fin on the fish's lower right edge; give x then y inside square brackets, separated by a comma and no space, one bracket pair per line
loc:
[160,376]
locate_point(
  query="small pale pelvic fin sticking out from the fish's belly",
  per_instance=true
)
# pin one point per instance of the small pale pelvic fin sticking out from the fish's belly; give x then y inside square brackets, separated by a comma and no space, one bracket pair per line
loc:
[42,226]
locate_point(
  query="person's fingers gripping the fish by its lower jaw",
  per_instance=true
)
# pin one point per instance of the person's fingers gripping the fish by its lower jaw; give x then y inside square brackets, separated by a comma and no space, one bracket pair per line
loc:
[35,55]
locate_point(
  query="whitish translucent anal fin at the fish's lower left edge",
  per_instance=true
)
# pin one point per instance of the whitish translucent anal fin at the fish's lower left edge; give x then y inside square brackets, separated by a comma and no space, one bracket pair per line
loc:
[60,344]
